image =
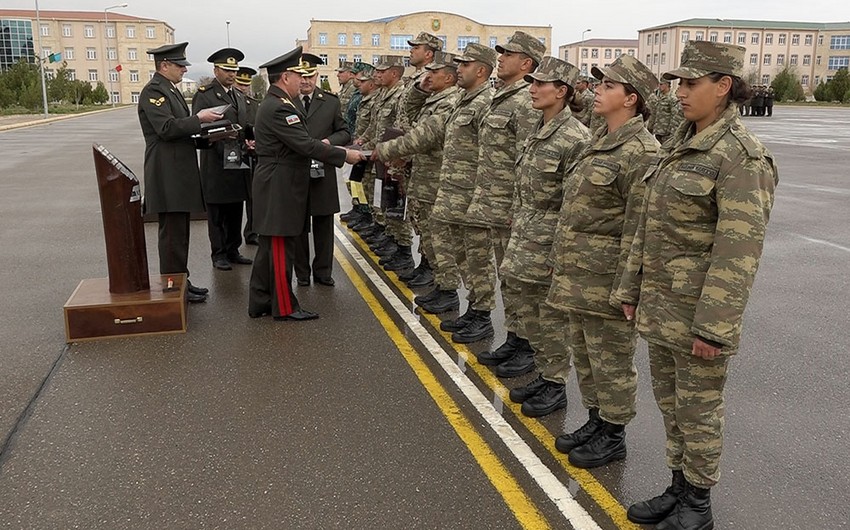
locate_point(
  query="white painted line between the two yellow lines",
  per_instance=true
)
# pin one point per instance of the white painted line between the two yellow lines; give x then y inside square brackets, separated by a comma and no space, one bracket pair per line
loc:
[542,475]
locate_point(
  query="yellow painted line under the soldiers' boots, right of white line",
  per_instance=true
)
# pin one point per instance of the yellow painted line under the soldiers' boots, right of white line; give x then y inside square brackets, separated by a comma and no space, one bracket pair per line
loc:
[585,479]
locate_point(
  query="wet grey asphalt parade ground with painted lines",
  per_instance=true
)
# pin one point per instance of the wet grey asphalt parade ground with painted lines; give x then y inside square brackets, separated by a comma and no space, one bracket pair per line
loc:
[370,417]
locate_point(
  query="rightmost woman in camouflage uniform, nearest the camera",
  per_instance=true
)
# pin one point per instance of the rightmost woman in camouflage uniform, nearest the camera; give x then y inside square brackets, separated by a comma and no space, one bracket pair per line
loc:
[691,268]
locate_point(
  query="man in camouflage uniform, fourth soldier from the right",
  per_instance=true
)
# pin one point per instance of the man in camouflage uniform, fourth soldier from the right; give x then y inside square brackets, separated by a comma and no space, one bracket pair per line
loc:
[507,123]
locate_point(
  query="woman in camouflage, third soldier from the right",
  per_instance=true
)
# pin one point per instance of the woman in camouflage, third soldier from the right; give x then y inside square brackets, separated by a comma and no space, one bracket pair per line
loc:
[553,146]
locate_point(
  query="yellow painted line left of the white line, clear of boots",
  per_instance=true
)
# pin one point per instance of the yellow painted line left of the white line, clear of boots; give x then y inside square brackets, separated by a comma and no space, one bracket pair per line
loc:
[516,499]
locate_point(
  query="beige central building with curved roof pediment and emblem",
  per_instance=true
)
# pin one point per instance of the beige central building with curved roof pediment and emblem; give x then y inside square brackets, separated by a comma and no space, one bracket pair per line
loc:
[345,40]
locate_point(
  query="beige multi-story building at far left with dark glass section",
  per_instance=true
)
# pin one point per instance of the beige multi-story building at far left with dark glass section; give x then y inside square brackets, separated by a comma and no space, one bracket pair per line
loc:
[109,47]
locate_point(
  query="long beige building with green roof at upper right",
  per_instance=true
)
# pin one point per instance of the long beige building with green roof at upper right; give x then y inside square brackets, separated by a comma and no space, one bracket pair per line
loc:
[813,51]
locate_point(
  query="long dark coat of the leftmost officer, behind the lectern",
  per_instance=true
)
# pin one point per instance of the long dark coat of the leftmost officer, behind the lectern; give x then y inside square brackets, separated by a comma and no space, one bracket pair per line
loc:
[172,180]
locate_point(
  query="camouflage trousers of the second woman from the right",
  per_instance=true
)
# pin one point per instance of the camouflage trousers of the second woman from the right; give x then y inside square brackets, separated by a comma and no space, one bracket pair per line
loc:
[603,354]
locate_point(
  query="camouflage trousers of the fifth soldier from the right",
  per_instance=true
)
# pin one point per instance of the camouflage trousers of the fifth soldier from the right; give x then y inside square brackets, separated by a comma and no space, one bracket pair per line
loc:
[481,265]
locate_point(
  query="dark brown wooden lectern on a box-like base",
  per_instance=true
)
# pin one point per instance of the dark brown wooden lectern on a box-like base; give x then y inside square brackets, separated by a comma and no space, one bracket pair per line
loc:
[129,302]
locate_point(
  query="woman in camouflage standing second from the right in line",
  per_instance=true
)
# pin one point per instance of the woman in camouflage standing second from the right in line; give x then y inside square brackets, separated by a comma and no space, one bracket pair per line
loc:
[602,203]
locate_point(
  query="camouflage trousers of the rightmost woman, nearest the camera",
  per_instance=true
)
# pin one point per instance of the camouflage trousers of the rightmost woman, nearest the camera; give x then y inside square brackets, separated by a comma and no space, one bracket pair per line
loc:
[689,393]
